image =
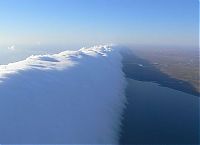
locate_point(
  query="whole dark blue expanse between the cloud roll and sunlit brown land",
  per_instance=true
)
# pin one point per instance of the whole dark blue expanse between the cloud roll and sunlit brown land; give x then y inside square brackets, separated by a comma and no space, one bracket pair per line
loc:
[160,109]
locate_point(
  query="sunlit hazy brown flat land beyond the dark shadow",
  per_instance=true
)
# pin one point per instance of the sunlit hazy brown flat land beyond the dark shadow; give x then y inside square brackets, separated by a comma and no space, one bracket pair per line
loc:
[178,63]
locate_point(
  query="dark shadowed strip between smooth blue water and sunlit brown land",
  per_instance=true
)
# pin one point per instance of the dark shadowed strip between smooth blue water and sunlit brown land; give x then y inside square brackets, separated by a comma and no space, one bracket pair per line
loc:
[149,73]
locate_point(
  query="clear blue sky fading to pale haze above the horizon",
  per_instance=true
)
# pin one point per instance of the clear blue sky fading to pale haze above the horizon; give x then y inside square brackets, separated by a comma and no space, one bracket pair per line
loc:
[89,22]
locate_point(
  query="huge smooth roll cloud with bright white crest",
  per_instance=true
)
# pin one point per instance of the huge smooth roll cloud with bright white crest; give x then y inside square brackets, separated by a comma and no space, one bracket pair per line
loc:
[70,97]
